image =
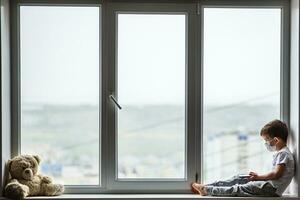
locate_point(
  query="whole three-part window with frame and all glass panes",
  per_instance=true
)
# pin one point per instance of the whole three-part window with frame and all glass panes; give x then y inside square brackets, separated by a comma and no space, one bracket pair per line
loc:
[146,97]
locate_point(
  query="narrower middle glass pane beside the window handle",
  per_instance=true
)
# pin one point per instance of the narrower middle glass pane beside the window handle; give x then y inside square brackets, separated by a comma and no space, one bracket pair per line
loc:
[151,89]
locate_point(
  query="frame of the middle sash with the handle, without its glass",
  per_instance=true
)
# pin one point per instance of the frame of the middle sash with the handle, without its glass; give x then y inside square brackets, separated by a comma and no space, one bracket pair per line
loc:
[154,185]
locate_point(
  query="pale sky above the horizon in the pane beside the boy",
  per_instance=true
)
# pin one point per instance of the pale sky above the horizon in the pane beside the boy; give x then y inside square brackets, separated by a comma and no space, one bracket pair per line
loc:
[241,55]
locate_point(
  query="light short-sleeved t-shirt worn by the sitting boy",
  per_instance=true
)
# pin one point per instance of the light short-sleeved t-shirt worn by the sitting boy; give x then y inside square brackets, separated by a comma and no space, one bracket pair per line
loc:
[283,156]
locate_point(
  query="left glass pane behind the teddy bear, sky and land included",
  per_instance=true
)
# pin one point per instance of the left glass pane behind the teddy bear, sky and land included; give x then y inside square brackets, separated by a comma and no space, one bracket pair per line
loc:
[60,90]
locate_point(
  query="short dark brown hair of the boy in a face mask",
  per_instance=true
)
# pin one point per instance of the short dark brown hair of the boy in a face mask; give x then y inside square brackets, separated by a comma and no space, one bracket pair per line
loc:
[276,128]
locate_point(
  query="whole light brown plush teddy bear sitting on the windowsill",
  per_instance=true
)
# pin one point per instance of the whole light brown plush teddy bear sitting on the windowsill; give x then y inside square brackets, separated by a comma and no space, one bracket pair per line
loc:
[26,181]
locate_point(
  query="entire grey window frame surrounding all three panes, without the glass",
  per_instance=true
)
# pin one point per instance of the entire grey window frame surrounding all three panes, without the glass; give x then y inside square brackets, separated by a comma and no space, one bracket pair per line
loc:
[194,89]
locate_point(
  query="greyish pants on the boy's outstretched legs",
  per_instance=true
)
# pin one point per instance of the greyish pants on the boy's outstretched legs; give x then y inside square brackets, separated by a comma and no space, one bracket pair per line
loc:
[242,187]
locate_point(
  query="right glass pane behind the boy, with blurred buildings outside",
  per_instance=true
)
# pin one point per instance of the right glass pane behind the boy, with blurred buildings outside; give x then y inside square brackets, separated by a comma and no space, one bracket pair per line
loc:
[241,88]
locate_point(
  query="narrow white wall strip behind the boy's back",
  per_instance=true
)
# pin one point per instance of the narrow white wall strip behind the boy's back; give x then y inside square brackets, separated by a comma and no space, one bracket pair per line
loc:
[294,100]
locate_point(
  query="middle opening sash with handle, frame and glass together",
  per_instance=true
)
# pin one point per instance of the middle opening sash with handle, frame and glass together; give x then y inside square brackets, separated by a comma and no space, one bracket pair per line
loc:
[149,78]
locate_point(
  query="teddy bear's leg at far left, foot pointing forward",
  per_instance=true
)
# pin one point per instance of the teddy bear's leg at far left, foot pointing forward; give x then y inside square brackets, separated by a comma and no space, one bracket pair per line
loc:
[15,190]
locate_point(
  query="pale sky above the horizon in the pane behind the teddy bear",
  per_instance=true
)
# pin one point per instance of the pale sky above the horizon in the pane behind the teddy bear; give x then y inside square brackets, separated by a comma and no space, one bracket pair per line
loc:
[59,55]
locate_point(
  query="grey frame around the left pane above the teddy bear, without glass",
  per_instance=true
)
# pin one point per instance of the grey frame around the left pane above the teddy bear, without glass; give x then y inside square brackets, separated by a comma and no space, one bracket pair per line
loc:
[16,83]
